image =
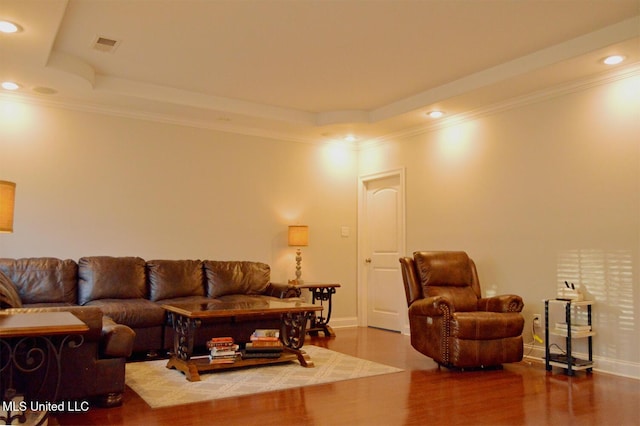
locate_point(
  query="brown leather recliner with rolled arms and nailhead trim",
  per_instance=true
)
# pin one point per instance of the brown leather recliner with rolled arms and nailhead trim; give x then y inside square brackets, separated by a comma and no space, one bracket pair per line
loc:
[448,318]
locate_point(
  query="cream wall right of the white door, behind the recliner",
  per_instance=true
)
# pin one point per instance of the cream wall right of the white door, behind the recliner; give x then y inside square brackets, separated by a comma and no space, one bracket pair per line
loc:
[538,194]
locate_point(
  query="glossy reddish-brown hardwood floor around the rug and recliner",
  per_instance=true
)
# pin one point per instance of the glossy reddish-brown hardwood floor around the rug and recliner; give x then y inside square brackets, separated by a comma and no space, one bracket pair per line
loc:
[520,394]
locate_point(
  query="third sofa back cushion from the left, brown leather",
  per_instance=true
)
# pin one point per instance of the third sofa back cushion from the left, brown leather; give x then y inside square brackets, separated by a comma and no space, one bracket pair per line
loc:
[175,278]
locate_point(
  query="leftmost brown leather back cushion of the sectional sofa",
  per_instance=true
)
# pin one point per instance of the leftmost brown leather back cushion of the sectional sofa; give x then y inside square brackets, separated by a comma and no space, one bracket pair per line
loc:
[43,279]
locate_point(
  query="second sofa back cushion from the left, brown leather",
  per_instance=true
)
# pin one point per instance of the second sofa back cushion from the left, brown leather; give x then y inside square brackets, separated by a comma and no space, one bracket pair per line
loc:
[104,277]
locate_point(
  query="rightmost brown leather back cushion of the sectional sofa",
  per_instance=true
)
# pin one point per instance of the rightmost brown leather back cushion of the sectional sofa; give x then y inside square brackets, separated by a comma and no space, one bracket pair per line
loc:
[236,277]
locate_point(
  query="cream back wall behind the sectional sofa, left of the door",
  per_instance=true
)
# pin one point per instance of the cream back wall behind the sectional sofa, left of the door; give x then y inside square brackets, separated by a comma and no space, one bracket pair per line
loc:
[92,184]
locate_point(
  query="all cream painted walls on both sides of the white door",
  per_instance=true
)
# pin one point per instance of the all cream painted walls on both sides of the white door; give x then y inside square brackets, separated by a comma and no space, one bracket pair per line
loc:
[536,194]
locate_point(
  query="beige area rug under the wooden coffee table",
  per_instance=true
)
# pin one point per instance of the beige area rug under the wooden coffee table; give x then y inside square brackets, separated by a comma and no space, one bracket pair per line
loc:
[161,387]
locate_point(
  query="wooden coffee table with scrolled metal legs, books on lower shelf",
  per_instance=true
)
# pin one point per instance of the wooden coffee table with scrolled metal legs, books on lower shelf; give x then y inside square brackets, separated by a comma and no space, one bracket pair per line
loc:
[187,317]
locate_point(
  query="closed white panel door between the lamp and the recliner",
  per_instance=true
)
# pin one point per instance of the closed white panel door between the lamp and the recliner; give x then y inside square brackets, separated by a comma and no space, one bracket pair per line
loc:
[383,215]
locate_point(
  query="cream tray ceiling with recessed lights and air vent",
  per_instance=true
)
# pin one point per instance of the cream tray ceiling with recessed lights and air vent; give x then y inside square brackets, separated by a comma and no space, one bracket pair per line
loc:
[307,70]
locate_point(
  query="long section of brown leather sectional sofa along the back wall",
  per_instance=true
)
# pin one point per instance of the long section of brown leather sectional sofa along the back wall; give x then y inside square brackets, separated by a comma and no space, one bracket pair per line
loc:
[130,290]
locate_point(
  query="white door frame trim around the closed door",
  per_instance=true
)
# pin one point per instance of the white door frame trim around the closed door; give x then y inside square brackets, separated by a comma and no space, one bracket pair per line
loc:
[362,287]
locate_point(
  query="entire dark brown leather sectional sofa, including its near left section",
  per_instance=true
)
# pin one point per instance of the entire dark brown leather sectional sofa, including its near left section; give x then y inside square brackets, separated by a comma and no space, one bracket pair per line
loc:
[125,294]
